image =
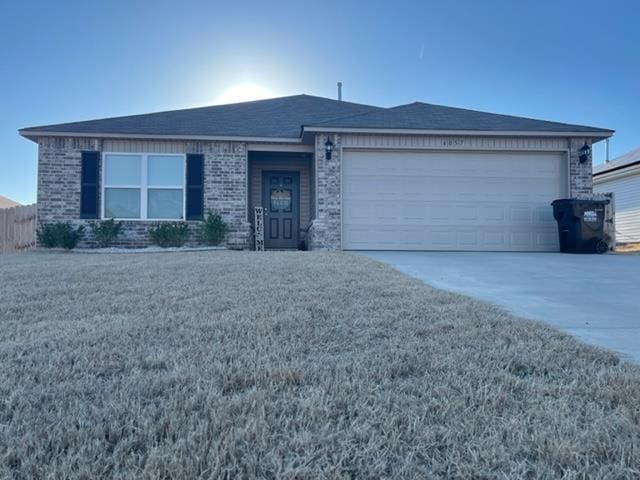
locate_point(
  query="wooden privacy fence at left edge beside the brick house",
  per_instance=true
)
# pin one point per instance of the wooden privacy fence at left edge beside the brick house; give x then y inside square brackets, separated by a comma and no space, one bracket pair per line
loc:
[17,228]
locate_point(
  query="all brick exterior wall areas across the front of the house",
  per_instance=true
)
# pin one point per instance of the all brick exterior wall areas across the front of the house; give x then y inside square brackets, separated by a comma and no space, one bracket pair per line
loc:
[225,186]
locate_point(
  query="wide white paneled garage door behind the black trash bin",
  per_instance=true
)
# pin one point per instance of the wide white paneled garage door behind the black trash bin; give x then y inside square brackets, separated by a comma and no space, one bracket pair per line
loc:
[451,200]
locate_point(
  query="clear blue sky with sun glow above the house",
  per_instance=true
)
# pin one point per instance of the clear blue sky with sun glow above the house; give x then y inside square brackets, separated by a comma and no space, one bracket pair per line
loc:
[570,61]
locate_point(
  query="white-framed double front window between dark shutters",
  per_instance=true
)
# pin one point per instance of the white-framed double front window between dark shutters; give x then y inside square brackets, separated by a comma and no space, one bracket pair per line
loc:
[143,186]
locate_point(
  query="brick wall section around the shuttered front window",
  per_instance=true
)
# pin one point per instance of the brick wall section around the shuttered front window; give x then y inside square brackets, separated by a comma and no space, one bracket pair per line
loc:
[59,166]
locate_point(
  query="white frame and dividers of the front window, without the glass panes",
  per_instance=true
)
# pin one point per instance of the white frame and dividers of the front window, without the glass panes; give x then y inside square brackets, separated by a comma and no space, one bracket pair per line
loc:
[144,186]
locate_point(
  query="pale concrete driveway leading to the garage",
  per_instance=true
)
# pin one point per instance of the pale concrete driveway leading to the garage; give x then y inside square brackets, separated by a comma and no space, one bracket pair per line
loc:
[594,297]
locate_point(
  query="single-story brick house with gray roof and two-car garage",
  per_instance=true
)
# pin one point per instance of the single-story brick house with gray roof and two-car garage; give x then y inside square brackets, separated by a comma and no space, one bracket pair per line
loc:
[333,174]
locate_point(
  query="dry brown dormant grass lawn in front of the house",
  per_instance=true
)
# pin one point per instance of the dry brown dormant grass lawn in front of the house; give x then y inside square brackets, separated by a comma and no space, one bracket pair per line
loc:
[291,365]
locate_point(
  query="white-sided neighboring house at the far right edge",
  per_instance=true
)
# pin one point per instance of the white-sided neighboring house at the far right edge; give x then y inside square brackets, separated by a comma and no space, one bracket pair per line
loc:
[622,177]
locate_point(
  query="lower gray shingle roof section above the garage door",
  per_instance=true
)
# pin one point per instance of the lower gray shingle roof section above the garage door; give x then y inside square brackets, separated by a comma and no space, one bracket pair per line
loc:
[425,116]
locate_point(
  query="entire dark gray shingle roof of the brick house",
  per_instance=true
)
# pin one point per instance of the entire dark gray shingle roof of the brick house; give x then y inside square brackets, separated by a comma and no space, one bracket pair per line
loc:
[286,116]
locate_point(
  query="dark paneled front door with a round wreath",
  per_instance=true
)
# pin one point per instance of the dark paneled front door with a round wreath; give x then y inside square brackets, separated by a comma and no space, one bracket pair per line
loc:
[280,198]
